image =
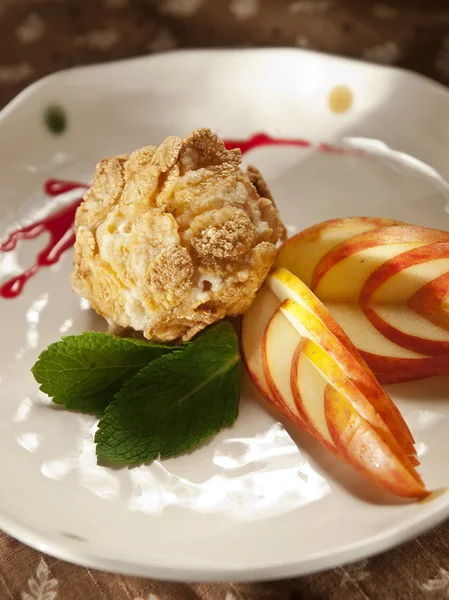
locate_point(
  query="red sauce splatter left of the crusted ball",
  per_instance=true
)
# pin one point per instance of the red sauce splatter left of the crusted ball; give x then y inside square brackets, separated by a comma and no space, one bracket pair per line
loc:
[62,236]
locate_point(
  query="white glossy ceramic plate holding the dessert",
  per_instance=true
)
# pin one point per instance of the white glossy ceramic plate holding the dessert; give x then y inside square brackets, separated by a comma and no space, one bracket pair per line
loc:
[250,504]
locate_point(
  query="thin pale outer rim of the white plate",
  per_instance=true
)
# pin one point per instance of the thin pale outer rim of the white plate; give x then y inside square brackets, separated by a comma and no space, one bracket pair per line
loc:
[318,561]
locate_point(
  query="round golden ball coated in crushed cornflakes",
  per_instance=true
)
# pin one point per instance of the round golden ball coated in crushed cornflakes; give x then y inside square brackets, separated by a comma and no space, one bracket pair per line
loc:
[170,239]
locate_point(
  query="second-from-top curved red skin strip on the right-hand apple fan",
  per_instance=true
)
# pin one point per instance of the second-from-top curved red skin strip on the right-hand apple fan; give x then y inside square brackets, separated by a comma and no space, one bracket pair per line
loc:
[376,237]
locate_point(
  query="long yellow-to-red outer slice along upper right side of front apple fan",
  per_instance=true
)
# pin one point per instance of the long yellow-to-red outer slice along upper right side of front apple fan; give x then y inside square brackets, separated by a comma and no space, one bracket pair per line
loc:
[312,319]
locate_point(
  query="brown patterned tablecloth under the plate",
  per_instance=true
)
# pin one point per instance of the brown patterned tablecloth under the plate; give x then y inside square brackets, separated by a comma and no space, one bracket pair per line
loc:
[41,36]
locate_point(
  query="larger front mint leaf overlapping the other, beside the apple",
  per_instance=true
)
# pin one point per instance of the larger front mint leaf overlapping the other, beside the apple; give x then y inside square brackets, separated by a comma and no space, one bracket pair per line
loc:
[176,402]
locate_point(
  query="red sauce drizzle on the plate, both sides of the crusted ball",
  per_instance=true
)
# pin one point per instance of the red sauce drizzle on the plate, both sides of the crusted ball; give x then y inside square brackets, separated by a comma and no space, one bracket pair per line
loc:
[59,225]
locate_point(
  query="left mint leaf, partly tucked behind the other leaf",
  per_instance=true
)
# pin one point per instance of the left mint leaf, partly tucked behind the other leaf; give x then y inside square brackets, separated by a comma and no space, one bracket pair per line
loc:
[84,372]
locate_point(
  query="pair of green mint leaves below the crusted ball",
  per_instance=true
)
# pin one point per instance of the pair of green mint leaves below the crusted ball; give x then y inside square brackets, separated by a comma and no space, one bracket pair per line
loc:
[156,400]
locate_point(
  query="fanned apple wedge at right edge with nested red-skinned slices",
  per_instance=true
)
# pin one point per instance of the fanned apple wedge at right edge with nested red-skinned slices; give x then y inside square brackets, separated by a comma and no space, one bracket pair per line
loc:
[403,334]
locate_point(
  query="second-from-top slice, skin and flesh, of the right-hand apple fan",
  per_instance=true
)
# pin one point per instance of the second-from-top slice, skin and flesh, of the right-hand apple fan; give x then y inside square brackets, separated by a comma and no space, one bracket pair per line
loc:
[341,273]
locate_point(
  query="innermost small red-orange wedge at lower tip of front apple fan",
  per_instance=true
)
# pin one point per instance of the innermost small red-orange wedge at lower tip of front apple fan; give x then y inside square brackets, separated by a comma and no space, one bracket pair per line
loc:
[364,449]
